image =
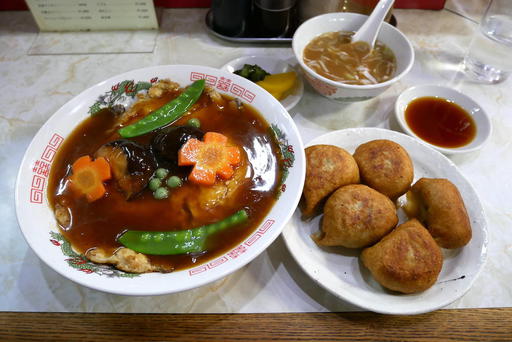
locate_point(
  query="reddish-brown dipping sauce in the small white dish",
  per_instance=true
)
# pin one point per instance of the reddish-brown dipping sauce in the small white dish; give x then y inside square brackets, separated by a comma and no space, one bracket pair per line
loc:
[440,122]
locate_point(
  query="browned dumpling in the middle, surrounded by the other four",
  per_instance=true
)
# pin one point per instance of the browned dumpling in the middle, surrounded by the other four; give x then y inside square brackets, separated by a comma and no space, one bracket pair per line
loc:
[356,216]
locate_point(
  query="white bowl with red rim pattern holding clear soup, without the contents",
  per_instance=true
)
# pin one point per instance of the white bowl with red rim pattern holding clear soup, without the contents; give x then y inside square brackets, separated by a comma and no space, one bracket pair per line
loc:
[341,21]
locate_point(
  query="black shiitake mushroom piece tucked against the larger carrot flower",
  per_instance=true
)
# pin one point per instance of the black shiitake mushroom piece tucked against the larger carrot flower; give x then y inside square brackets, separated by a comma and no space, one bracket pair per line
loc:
[166,144]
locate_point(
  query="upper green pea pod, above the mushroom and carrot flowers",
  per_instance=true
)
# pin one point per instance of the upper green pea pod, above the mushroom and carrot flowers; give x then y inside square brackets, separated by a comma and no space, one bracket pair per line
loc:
[167,113]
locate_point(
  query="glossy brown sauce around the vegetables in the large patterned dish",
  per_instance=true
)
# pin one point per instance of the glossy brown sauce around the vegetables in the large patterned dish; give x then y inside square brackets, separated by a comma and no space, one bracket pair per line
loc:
[97,224]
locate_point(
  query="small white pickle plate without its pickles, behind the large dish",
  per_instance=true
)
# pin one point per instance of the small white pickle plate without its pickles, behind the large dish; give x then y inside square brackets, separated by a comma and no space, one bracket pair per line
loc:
[273,66]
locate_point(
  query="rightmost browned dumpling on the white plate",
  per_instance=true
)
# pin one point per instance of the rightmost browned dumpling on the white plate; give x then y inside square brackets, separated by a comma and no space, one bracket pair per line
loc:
[437,203]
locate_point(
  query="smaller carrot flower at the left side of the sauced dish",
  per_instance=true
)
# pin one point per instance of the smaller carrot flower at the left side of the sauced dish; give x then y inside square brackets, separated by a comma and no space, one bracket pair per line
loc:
[88,176]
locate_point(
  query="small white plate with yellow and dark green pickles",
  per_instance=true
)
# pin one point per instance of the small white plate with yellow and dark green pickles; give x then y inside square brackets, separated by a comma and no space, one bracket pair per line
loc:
[273,74]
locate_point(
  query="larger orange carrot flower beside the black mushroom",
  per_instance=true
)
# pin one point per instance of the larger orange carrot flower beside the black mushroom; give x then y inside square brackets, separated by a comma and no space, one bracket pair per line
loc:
[211,157]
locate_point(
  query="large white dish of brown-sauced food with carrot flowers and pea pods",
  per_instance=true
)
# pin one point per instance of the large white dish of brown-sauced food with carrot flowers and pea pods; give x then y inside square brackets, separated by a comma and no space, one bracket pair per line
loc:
[160,180]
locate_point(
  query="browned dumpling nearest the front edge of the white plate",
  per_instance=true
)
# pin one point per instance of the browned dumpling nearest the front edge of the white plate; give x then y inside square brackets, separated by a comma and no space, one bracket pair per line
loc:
[407,260]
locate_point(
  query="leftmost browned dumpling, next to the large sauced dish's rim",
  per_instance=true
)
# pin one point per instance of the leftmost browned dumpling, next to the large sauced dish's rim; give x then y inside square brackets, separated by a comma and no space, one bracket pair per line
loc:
[328,167]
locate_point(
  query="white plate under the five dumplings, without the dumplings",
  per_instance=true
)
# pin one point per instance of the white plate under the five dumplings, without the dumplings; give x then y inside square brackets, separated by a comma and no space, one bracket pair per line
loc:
[339,270]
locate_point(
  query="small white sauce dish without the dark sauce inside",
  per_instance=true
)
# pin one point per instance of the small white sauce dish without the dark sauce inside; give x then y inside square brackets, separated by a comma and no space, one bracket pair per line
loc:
[483,124]
